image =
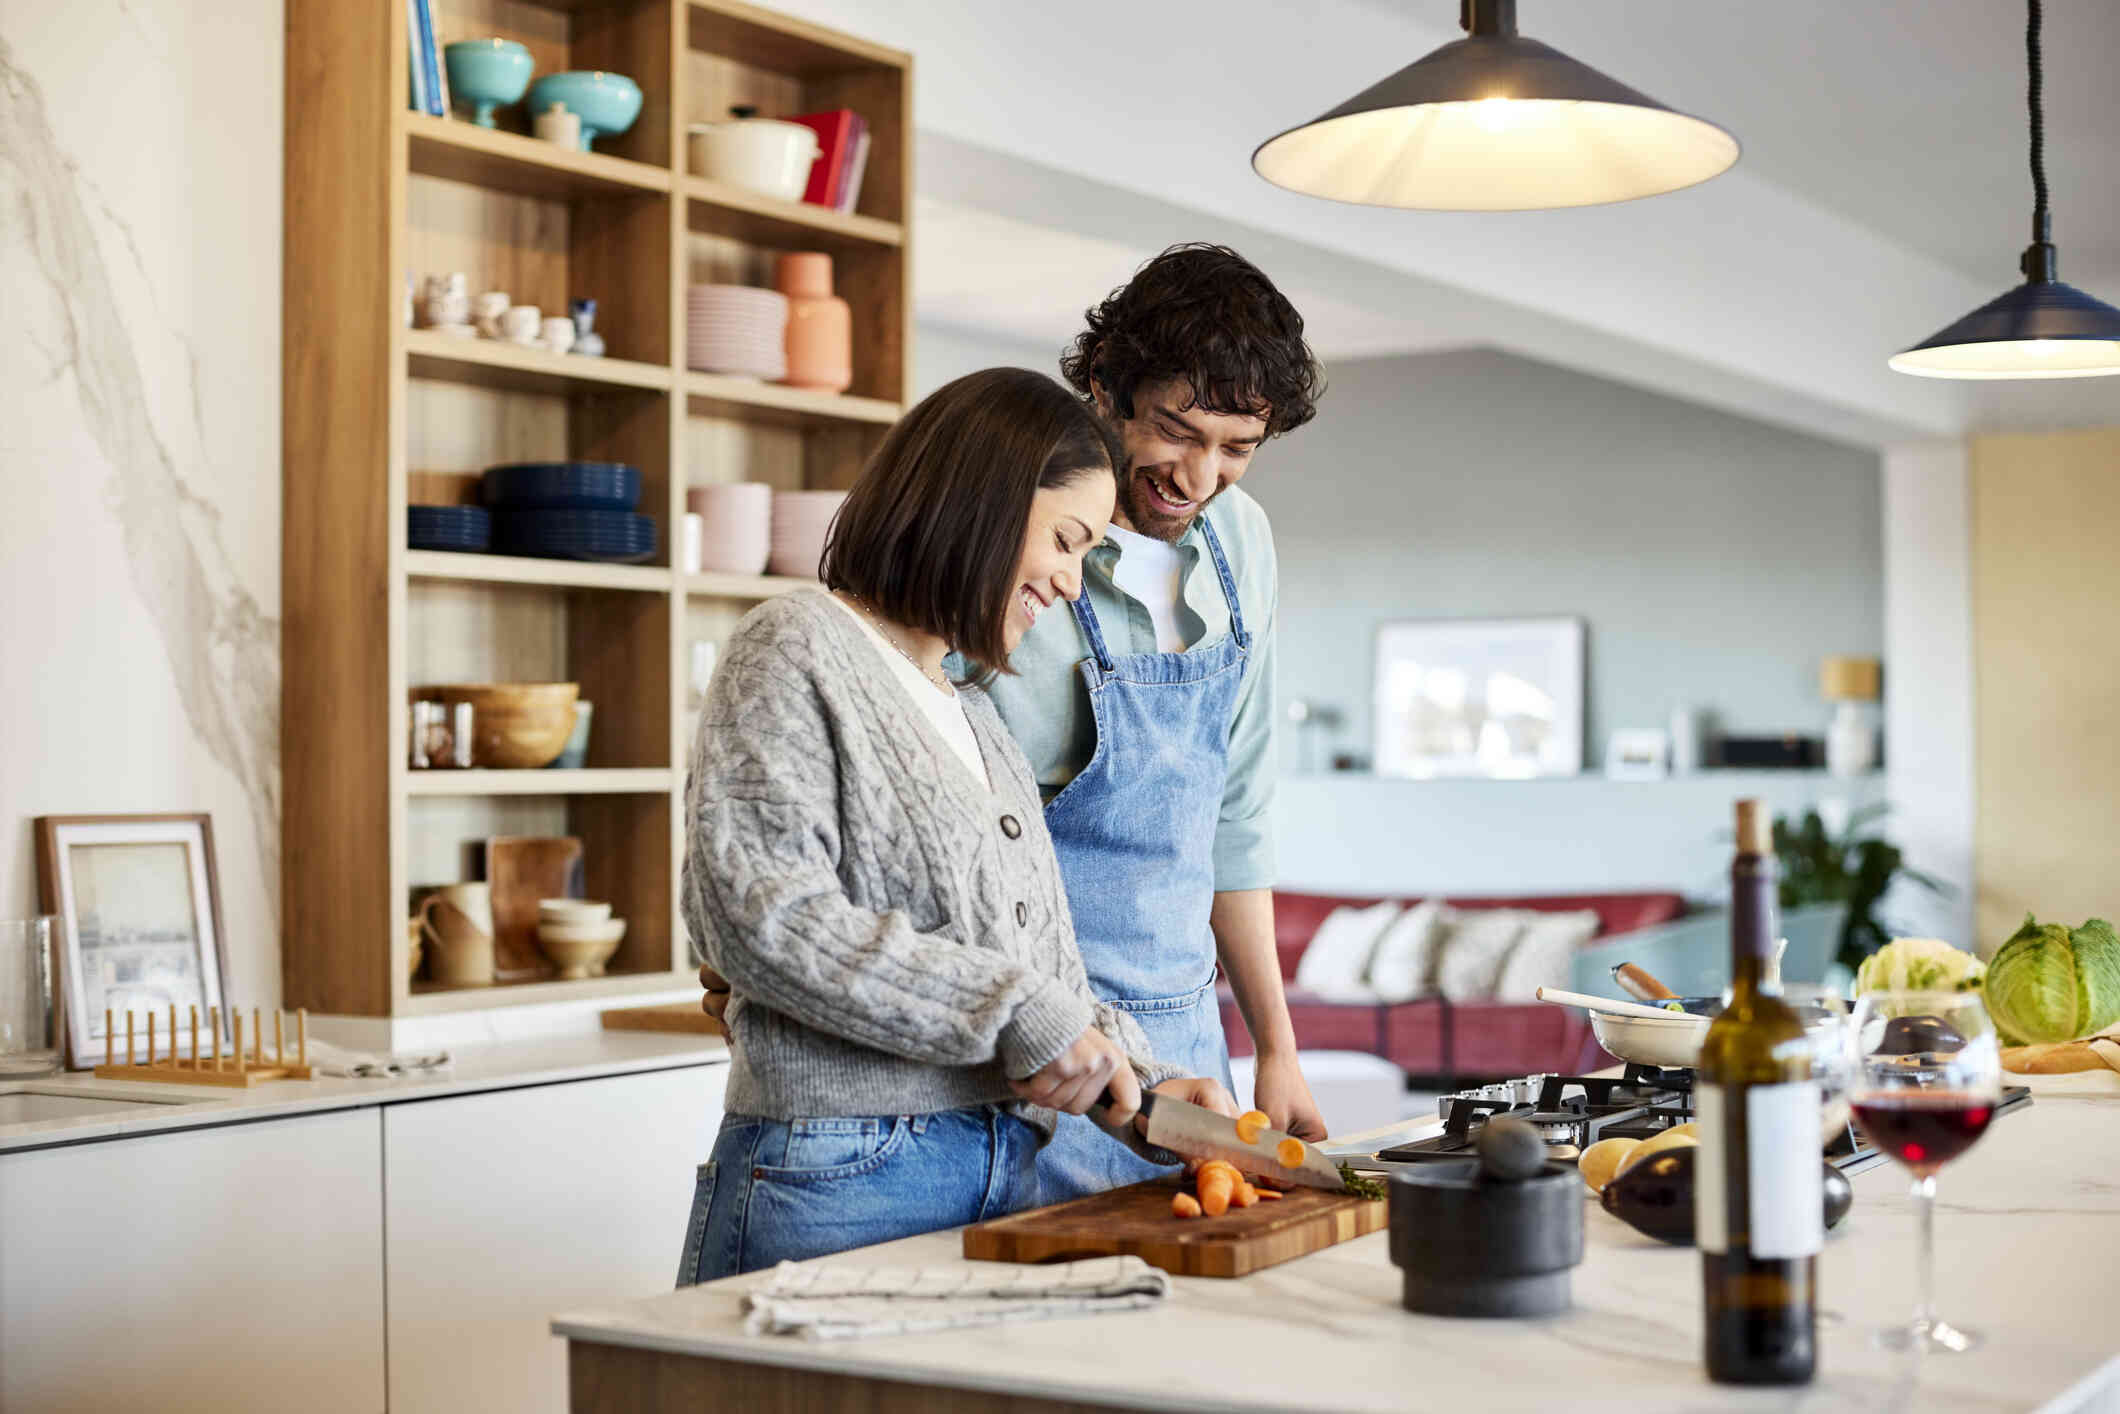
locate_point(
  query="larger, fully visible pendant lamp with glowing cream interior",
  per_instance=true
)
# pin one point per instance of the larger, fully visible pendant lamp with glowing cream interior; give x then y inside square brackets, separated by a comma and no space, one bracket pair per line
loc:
[1496,124]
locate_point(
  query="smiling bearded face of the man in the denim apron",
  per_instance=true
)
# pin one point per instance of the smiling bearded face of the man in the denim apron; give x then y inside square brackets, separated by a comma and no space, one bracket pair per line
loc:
[1180,459]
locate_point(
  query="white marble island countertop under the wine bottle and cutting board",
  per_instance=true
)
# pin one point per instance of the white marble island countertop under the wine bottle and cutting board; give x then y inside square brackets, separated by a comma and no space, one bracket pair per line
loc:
[2028,1239]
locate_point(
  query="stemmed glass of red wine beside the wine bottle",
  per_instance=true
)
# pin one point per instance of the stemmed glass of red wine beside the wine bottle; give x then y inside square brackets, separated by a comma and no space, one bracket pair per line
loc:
[1924,1086]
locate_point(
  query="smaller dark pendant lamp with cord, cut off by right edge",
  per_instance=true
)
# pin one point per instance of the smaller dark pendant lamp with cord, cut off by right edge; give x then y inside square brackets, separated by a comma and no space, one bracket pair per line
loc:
[2043,328]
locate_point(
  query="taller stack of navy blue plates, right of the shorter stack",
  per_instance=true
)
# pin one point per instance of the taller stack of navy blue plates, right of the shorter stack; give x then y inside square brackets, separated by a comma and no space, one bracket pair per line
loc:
[569,512]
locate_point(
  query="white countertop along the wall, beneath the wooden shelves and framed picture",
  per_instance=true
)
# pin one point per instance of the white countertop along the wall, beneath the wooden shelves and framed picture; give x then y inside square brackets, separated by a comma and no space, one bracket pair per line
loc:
[472,1070]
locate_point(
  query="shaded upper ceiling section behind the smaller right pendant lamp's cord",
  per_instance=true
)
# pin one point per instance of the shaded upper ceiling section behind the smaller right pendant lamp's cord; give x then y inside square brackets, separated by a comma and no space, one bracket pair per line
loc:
[1903,116]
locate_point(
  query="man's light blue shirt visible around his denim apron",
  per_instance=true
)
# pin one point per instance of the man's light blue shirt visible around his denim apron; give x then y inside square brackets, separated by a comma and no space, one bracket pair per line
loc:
[1046,705]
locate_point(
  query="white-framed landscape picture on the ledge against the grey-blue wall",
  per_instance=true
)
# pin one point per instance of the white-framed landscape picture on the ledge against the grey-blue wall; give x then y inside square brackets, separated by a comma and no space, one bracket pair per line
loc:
[1498,699]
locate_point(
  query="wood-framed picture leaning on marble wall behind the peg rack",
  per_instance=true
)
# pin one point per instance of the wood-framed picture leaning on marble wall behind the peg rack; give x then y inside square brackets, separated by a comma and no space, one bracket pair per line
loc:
[139,902]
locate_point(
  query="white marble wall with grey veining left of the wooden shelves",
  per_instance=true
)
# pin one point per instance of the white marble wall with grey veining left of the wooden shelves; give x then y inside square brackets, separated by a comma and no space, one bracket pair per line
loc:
[141,434]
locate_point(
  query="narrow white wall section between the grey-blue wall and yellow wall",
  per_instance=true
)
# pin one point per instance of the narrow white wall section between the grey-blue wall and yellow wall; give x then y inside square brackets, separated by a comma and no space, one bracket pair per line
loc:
[1930,682]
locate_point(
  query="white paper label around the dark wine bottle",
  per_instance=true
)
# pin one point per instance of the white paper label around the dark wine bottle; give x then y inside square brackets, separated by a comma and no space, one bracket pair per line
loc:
[1759,1186]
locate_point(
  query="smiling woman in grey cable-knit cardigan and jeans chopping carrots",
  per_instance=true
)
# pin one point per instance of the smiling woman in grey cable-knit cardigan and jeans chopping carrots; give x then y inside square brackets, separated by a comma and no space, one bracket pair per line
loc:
[868,864]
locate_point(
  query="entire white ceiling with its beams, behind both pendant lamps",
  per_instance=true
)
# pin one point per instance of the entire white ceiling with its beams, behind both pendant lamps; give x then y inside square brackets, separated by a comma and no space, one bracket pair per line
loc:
[1881,192]
